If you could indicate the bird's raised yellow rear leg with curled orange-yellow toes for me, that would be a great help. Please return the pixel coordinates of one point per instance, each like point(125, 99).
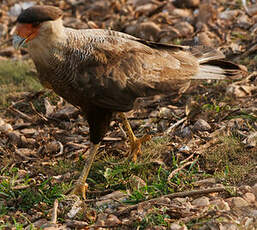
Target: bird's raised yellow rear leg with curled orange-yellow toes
point(135, 143)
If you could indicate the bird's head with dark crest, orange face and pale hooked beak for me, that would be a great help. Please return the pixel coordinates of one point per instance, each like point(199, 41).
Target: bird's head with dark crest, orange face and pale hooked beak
point(35, 23)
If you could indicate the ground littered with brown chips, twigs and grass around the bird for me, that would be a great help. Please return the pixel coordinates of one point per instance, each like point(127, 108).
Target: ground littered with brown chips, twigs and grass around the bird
point(204, 146)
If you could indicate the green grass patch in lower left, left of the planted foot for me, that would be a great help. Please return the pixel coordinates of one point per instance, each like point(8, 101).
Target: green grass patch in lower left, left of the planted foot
point(24, 194)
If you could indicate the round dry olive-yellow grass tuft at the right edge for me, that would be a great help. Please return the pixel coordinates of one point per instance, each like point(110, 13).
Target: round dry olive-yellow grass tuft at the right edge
point(230, 161)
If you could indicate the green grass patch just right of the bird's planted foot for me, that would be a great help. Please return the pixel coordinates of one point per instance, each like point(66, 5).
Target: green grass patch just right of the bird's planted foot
point(112, 173)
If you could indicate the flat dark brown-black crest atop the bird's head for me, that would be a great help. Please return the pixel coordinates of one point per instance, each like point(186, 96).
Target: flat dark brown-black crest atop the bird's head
point(38, 14)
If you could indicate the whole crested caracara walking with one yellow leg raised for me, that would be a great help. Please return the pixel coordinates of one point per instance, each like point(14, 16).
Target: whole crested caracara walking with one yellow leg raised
point(104, 71)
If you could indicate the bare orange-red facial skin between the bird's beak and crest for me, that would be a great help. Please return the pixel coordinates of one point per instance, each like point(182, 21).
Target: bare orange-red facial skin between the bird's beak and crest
point(27, 31)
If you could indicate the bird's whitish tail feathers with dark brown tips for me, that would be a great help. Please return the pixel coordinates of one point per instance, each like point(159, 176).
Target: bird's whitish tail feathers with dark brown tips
point(211, 66)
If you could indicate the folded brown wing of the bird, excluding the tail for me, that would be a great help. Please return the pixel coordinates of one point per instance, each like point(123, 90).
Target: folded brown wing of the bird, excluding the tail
point(118, 70)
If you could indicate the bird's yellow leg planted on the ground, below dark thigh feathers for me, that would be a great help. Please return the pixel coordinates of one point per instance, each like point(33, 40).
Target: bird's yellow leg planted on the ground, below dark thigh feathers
point(81, 185)
